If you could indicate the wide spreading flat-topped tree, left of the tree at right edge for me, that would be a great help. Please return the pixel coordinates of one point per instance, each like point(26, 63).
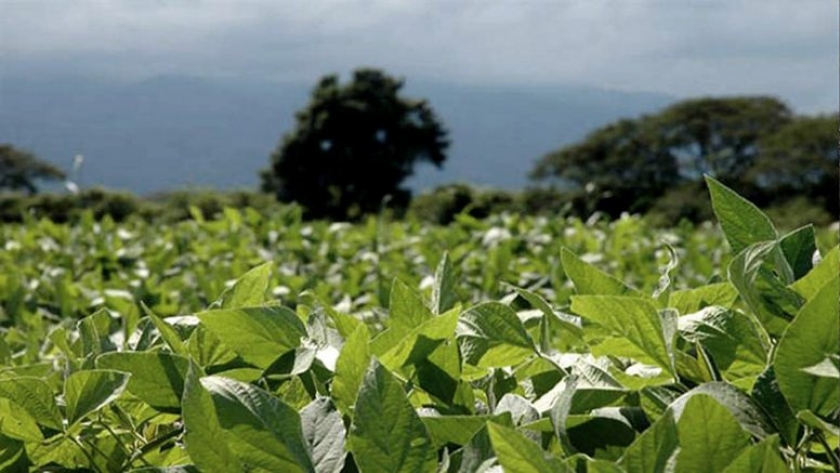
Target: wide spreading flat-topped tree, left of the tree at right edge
point(628, 164)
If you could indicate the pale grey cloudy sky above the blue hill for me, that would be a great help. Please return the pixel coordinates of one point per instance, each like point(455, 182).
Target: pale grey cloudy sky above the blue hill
point(683, 48)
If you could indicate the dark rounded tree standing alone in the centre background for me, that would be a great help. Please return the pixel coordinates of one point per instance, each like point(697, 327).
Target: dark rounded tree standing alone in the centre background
point(353, 145)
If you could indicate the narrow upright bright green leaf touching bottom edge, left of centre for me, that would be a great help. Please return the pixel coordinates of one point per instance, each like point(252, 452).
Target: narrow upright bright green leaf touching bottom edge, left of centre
point(203, 435)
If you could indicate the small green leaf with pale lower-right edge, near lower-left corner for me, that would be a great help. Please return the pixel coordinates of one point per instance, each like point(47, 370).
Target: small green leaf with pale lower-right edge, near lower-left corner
point(88, 391)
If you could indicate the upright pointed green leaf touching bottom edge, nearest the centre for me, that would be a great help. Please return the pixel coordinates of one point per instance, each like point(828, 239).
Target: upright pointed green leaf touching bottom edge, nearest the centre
point(387, 435)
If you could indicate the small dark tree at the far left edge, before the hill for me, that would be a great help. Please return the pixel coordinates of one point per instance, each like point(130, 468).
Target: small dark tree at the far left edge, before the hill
point(19, 170)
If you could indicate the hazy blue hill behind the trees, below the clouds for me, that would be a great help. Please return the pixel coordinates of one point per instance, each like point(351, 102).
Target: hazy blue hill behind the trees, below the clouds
point(167, 132)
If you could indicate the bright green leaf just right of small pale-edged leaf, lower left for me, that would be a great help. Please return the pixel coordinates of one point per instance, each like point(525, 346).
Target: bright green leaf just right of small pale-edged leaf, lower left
point(156, 378)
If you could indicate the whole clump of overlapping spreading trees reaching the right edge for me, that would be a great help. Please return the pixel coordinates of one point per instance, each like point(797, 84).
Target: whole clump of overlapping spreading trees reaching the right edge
point(755, 144)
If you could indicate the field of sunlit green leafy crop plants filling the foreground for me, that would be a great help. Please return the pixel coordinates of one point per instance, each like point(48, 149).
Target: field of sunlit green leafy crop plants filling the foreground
point(591, 372)
